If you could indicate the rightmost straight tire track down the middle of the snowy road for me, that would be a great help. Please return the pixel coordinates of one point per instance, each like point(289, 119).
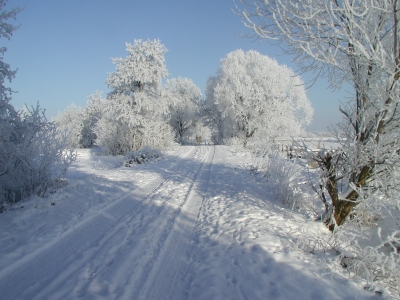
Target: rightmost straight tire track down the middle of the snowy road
point(169, 266)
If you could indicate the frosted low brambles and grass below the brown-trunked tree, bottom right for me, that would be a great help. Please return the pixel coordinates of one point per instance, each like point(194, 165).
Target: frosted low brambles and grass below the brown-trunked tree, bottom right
point(367, 244)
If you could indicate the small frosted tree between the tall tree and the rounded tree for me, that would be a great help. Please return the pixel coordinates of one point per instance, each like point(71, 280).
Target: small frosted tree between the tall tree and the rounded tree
point(184, 99)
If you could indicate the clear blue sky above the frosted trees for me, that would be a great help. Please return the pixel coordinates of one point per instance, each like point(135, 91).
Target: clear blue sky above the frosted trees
point(63, 49)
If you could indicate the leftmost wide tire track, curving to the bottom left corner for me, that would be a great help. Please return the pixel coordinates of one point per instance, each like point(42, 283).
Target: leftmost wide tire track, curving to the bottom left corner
point(33, 277)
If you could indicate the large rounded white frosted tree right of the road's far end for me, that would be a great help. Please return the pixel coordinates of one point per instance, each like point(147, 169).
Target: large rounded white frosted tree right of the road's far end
point(258, 98)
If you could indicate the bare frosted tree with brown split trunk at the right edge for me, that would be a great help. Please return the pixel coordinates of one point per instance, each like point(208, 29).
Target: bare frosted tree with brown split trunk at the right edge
point(355, 42)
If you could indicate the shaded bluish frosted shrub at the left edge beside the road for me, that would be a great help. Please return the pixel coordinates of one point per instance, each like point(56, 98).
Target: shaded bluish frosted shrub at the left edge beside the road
point(33, 157)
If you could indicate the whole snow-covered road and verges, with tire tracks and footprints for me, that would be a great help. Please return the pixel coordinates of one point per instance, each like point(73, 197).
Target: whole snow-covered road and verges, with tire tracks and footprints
point(195, 225)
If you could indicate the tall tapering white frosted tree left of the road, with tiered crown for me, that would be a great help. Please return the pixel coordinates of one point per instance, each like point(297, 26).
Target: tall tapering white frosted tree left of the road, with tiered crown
point(135, 114)
